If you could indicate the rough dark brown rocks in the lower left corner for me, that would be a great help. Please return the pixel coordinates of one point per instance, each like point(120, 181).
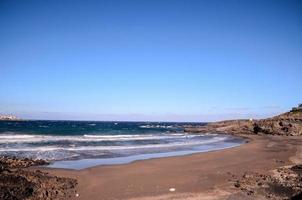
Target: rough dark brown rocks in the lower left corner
point(18, 181)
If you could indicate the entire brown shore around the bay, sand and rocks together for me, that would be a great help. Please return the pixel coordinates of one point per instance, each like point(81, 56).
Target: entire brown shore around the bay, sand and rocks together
point(268, 167)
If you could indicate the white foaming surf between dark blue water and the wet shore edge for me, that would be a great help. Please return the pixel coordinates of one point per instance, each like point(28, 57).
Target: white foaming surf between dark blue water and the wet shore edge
point(87, 146)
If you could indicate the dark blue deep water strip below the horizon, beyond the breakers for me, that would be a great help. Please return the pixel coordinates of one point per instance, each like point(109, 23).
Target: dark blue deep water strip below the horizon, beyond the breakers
point(87, 127)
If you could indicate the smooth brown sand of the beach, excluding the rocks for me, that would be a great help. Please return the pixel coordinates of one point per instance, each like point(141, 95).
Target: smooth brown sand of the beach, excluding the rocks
point(199, 176)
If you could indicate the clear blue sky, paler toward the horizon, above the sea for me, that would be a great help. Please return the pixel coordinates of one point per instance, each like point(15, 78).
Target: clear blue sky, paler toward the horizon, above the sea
point(150, 60)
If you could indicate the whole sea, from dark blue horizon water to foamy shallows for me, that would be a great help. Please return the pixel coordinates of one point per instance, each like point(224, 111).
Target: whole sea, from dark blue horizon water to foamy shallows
point(66, 143)
